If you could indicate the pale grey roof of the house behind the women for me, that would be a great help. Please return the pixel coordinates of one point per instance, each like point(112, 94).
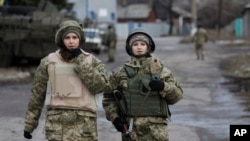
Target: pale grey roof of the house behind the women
point(133, 11)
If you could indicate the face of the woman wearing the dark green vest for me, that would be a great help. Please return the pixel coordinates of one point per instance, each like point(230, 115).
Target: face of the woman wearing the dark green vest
point(139, 48)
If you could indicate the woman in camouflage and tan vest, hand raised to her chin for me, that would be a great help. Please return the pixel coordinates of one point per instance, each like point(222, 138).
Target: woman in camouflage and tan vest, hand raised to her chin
point(66, 82)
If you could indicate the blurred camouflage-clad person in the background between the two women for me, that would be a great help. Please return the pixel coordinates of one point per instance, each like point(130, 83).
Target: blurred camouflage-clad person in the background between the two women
point(111, 43)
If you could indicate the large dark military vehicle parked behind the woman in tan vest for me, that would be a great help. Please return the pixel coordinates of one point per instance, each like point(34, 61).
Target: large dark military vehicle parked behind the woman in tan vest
point(28, 33)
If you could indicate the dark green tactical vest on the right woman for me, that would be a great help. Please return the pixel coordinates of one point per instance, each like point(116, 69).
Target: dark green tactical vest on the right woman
point(134, 95)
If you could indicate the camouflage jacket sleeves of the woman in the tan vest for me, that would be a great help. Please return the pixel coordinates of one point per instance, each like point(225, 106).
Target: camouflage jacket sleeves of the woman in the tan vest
point(94, 76)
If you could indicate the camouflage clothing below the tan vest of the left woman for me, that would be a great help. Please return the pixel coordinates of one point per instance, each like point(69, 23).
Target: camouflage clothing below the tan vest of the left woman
point(71, 125)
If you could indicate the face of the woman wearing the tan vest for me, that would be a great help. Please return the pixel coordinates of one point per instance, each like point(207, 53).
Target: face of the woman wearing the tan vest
point(71, 41)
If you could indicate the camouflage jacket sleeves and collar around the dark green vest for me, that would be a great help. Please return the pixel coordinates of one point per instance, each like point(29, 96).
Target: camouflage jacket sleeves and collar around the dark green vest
point(172, 91)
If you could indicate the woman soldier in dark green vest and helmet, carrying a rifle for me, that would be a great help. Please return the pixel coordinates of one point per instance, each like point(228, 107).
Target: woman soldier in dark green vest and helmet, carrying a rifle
point(141, 91)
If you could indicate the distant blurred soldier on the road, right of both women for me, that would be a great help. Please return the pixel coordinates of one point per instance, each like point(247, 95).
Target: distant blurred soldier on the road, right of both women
point(200, 38)
